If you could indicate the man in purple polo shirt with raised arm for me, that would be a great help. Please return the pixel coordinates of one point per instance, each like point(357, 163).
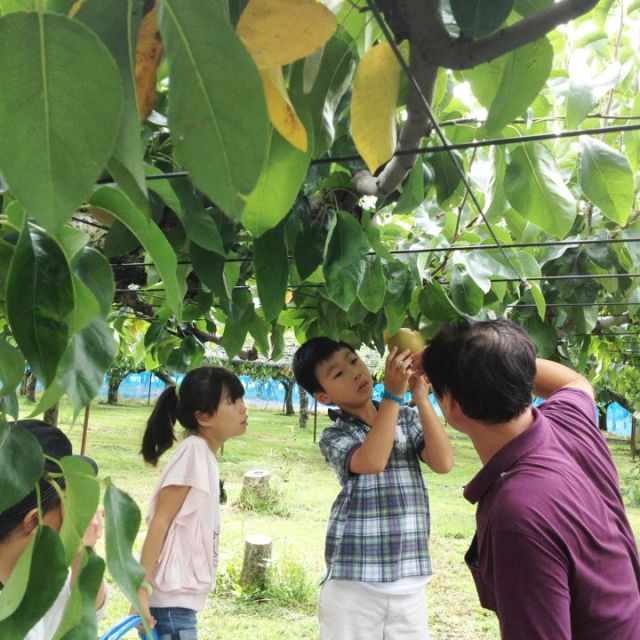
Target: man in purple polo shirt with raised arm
point(553, 555)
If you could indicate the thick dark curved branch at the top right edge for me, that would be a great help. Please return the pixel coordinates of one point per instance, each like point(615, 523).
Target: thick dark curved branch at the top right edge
point(440, 48)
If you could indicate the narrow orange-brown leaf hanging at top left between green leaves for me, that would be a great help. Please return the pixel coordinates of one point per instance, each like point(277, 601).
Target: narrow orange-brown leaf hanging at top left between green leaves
point(148, 56)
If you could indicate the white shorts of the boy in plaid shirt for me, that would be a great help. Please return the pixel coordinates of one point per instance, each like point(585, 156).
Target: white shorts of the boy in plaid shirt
point(352, 611)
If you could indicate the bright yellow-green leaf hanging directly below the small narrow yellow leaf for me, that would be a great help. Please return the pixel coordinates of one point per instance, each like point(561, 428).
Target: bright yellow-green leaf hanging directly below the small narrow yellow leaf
point(279, 183)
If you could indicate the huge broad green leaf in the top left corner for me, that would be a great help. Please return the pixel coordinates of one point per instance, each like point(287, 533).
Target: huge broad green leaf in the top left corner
point(60, 106)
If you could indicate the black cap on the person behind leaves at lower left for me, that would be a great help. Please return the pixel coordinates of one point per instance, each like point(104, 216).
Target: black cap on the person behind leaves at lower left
point(54, 443)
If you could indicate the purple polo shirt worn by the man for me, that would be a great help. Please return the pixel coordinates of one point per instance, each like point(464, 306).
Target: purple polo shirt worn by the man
point(554, 555)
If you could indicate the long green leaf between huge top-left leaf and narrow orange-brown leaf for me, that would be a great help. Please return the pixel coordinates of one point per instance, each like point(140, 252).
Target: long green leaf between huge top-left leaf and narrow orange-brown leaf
point(117, 24)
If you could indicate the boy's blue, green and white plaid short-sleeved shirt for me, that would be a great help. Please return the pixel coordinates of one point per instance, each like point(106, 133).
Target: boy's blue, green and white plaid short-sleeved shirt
point(379, 524)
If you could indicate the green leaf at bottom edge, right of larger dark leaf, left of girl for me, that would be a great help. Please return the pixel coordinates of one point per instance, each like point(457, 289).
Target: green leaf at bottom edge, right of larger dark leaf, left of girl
point(79, 621)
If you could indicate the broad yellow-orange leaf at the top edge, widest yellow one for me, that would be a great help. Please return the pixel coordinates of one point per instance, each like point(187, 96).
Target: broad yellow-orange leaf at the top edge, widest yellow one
point(277, 32)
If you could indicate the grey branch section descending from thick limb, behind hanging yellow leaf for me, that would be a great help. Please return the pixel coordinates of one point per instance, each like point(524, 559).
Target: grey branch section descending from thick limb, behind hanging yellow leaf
point(416, 126)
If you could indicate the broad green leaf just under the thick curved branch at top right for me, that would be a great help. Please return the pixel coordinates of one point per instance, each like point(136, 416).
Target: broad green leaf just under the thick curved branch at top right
point(507, 85)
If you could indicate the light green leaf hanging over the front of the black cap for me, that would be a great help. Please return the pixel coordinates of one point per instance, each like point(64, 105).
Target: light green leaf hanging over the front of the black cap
point(82, 494)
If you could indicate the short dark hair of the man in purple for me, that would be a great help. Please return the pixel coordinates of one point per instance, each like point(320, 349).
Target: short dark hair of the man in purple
point(488, 368)
